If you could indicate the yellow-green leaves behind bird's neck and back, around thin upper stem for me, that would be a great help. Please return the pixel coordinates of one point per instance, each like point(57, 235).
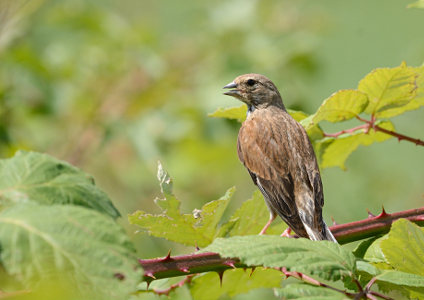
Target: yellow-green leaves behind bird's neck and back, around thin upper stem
point(382, 94)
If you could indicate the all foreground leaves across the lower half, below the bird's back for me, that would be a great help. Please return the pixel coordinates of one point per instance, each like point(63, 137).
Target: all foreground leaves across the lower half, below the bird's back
point(40, 240)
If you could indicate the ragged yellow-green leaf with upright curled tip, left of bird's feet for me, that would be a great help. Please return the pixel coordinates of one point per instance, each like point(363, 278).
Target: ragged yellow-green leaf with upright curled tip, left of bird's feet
point(203, 225)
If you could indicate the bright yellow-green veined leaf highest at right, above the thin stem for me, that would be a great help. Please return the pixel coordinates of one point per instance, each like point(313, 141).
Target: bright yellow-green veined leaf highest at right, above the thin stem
point(388, 88)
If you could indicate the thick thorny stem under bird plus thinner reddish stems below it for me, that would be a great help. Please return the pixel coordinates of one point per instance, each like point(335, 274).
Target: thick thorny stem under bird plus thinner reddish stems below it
point(169, 266)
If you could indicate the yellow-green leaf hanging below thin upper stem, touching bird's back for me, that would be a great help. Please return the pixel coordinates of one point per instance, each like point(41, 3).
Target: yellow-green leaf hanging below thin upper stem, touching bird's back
point(333, 152)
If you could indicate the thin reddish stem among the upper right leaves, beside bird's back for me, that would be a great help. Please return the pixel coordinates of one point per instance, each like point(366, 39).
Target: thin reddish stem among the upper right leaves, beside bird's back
point(372, 124)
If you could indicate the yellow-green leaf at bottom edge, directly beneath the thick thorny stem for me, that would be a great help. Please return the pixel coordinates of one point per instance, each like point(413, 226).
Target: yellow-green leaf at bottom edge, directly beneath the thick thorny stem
point(234, 282)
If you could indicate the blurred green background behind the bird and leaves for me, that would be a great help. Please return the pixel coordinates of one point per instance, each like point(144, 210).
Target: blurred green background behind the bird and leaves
point(114, 86)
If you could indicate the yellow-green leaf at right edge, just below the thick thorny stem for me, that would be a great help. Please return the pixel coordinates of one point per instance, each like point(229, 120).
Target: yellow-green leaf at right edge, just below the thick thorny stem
point(404, 247)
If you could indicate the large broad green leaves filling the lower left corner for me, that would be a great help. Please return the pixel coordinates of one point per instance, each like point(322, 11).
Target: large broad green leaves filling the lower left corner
point(58, 228)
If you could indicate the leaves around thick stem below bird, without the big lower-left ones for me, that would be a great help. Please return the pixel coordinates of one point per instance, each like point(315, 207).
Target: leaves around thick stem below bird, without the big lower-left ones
point(391, 269)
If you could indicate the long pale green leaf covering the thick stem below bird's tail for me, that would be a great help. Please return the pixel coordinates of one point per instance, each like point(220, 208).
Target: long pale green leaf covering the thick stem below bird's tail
point(325, 259)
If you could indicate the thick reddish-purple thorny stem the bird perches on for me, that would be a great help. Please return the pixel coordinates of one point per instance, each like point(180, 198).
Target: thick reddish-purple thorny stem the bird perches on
point(205, 262)
